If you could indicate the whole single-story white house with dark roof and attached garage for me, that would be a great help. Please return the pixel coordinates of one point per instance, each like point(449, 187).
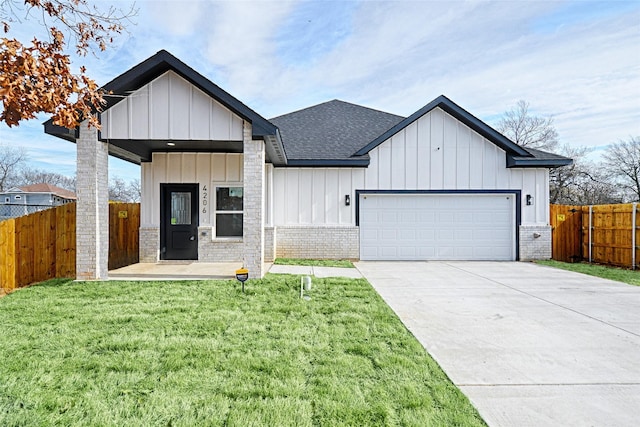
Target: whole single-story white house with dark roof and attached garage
point(335, 180)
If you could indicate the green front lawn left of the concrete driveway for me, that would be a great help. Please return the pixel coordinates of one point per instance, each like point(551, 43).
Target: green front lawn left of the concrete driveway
point(203, 353)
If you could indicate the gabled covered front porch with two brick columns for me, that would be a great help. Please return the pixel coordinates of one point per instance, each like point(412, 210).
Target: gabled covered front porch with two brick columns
point(205, 158)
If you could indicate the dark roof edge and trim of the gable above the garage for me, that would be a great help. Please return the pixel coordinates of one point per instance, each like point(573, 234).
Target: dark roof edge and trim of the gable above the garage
point(517, 156)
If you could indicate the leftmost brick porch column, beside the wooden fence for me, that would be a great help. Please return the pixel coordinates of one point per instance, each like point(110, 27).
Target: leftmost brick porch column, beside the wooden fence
point(92, 218)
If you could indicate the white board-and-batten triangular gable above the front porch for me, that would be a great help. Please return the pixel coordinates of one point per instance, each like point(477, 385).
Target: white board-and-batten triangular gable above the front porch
point(170, 108)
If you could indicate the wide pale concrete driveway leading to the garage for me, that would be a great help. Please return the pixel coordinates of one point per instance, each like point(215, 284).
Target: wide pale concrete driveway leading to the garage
point(529, 345)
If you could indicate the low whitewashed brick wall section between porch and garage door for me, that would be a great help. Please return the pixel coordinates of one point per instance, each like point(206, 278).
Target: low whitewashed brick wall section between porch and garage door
point(320, 242)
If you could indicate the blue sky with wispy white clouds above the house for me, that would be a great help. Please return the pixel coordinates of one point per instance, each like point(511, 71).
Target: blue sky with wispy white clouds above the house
point(578, 61)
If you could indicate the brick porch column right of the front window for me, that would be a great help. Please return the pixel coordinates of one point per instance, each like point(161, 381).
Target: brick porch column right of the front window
point(253, 200)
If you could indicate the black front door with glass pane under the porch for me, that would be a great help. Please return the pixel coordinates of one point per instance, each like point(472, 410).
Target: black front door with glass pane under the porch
point(179, 221)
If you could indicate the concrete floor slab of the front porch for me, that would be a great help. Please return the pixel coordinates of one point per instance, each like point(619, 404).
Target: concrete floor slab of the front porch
point(178, 270)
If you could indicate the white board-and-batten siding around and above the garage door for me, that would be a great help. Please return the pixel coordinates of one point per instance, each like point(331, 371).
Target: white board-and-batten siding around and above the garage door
point(436, 152)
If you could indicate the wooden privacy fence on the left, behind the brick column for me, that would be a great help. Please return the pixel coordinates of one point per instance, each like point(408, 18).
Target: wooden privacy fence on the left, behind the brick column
point(42, 245)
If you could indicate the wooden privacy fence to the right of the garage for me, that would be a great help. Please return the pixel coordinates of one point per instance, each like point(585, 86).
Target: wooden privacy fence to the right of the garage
point(605, 234)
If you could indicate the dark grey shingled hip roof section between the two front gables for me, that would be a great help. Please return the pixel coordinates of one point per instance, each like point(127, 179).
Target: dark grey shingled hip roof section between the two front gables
point(328, 134)
